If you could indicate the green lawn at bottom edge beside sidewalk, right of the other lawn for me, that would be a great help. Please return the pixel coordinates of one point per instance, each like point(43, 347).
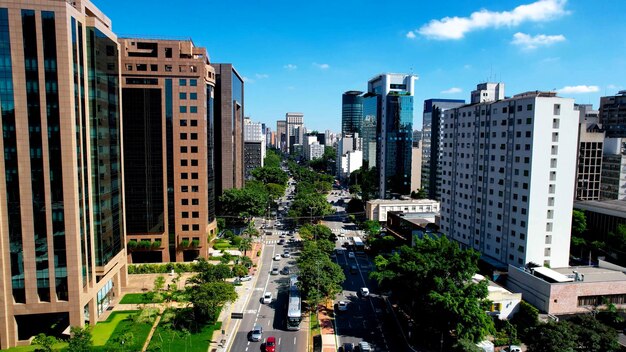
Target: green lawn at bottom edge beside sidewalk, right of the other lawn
point(167, 340)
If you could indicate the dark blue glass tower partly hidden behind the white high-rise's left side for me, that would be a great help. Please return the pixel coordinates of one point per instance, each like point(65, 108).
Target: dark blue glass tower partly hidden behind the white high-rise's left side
point(431, 143)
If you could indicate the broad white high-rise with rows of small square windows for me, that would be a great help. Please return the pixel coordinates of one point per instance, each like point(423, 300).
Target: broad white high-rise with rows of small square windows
point(508, 171)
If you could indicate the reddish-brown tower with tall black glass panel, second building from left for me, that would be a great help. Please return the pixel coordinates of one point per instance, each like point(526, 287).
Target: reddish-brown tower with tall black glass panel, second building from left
point(167, 89)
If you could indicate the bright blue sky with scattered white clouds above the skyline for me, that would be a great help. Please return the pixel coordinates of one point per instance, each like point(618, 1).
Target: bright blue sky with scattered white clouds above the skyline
point(301, 56)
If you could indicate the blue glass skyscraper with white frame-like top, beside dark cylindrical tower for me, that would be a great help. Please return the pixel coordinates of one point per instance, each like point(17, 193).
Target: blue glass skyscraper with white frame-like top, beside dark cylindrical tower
point(394, 131)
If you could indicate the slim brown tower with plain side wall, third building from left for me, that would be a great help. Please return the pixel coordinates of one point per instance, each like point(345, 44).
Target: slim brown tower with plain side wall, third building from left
point(229, 114)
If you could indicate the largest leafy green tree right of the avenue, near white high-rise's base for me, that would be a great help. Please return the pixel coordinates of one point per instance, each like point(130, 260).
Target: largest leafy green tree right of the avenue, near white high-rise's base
point(433, 282)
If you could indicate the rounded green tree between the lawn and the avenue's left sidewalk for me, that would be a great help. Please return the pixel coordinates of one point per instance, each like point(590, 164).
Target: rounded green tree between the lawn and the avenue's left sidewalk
point(208, 298)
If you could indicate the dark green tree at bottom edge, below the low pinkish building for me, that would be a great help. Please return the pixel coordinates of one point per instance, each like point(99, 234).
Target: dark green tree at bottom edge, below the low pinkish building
point(550, 337)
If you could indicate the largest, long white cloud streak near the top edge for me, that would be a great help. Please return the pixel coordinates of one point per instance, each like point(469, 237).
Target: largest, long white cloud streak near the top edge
point(456, 27)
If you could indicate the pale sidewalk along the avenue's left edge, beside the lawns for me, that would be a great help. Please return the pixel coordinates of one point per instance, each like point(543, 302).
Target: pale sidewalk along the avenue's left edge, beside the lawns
point(220, 342)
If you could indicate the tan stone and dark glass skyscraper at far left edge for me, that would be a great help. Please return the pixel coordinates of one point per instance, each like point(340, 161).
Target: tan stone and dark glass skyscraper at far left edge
point(61, 194)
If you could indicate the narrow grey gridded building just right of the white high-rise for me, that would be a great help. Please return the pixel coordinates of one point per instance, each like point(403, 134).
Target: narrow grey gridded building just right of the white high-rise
point(590, 144)
